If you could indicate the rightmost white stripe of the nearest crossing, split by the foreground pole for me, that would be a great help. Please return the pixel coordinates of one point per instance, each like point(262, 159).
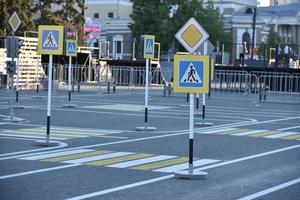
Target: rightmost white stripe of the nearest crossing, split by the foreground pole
point(183, 166)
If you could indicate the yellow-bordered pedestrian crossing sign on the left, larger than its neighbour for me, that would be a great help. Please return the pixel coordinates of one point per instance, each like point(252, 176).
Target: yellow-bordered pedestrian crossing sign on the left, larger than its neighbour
point(50, 40)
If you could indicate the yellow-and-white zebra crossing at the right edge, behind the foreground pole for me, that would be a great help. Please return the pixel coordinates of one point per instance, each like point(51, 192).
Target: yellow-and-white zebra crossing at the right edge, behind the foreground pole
point(274, 134)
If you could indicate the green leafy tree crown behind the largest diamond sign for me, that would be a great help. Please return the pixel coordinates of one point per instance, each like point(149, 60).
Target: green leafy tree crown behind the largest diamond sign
point(163, 18)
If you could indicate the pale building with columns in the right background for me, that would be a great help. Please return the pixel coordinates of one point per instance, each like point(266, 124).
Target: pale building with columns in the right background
point(283, 19)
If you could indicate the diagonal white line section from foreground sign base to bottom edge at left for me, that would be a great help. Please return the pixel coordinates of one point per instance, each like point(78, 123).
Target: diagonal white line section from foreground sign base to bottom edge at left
point(124, 187)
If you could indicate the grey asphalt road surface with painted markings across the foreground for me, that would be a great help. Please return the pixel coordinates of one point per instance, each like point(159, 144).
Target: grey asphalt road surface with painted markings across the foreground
point(252, 150)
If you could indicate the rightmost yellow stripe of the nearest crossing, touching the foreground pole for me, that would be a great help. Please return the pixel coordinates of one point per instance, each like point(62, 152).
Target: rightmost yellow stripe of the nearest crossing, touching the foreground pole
point(160, 164)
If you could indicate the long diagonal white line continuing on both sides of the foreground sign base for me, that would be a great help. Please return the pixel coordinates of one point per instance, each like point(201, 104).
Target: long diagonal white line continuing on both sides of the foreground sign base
point(124, 187)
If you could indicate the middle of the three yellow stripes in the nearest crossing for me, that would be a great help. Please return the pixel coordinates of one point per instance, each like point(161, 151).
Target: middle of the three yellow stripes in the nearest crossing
point(119, 159)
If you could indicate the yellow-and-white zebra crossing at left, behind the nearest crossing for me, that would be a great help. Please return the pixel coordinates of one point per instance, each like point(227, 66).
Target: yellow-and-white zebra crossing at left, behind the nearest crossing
point(58, 133)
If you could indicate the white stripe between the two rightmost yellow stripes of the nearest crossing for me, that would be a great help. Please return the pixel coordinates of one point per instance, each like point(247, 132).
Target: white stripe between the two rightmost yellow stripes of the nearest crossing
point(141, 161)
